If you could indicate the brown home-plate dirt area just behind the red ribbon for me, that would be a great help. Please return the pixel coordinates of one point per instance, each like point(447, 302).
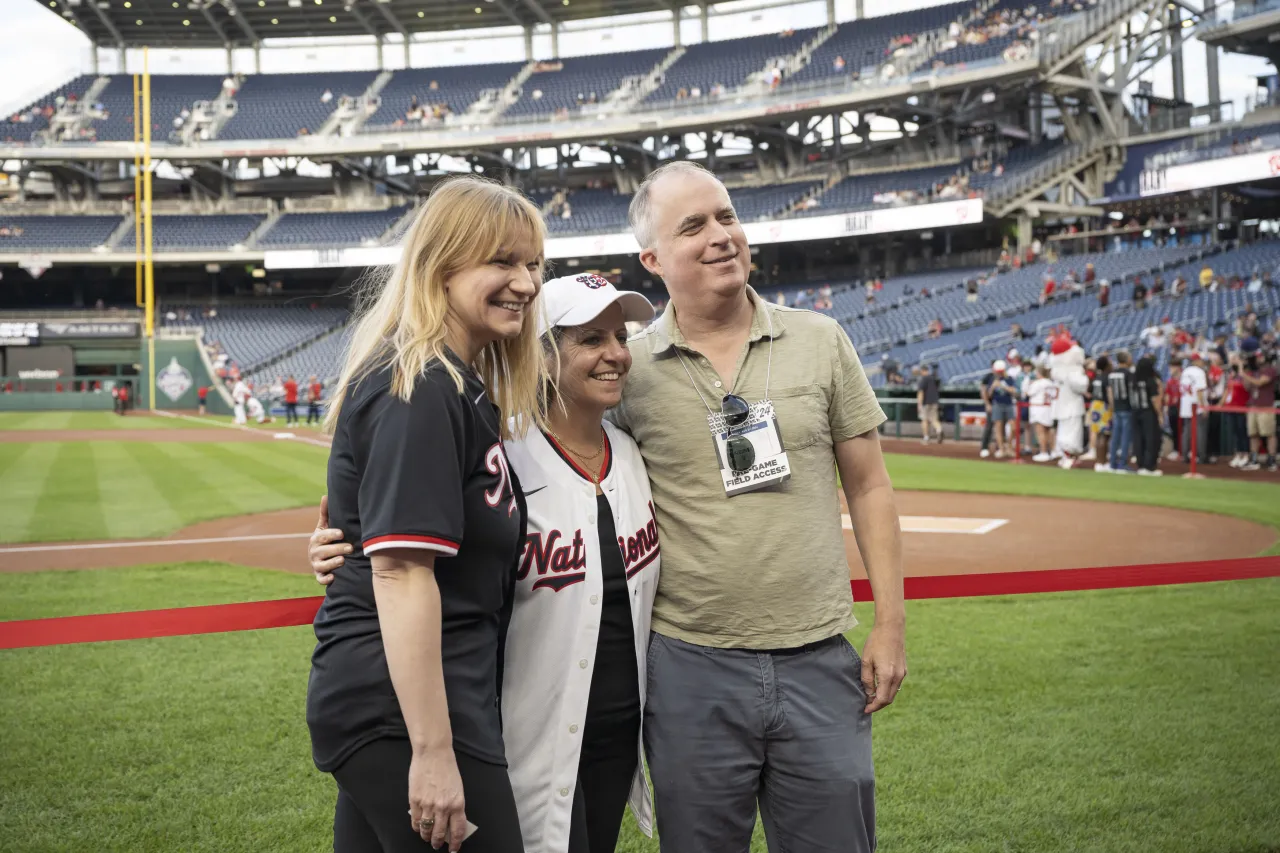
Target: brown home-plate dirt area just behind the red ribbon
point(1040, 533)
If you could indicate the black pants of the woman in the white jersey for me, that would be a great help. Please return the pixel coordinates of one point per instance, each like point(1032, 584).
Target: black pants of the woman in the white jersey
point(611, 750)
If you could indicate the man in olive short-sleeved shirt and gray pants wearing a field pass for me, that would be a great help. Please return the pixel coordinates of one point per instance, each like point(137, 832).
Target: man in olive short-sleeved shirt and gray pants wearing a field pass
point(755, 697)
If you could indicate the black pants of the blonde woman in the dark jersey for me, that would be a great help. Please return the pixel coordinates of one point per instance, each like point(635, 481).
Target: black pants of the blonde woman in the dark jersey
point(373, 804)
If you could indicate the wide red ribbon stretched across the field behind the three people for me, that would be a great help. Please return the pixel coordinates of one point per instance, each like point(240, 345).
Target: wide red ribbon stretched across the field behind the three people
point(287, 613)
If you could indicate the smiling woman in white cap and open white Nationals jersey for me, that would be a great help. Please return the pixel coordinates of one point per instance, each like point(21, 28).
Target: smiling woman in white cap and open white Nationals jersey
point(574, 676)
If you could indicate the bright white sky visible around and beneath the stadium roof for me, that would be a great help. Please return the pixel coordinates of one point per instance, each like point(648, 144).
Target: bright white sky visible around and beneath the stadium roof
point(42, 51)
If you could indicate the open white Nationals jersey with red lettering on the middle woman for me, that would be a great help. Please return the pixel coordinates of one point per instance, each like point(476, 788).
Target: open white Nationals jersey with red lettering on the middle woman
point(556, 621)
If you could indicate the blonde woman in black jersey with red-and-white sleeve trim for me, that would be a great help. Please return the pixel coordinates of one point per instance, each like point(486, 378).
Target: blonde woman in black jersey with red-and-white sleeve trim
point(403, 703)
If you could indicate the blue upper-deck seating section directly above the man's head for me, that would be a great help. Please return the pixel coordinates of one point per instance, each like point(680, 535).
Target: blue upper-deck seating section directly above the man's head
point(728, 63)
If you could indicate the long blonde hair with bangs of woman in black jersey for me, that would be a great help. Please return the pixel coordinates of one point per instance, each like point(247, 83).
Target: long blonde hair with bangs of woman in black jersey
point(401, 321)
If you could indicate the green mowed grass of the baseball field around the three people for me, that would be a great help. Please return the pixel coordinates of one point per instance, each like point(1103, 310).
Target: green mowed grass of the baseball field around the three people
point(1118, 720)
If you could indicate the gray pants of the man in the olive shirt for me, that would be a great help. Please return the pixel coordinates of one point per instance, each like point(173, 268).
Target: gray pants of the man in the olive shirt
point(726, 729)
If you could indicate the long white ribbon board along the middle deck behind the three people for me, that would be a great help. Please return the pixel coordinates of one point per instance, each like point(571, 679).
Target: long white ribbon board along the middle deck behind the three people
point(941, 215)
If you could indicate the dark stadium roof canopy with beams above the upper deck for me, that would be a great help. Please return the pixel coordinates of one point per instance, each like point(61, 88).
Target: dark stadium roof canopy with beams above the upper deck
point(221, 24)
